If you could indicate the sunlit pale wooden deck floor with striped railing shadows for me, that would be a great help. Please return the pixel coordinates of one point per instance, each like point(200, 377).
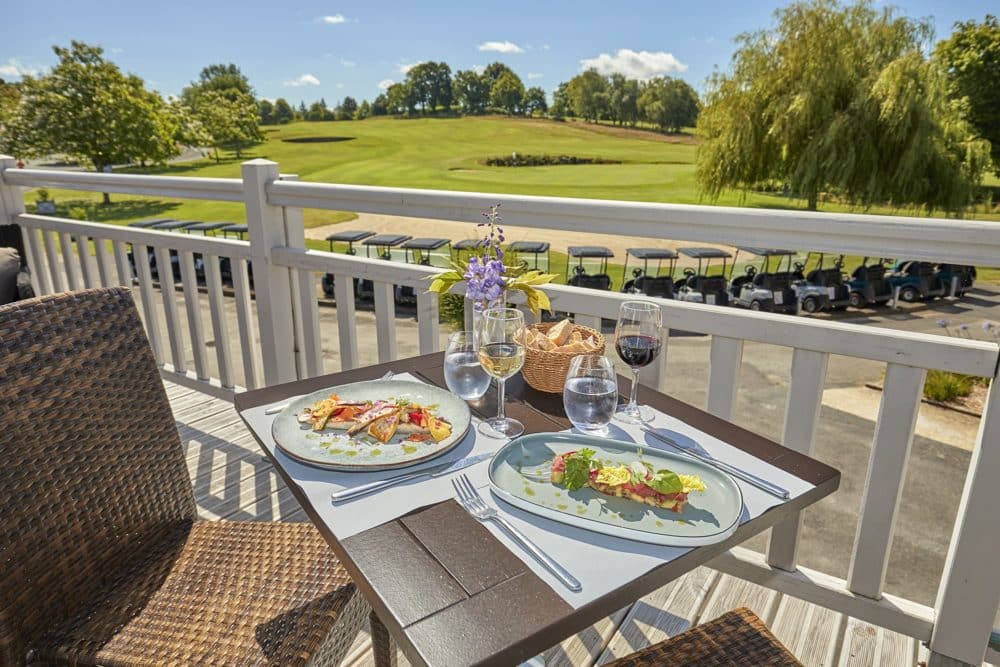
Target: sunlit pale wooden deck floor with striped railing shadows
point(233, 480)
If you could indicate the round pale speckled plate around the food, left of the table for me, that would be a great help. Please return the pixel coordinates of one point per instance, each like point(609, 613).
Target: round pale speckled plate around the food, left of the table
point(330, 449)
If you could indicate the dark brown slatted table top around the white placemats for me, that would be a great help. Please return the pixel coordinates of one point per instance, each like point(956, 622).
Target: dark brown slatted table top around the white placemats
point(450, 593)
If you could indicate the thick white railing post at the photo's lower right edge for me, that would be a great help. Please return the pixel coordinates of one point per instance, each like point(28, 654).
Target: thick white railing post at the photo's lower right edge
point(969, 595)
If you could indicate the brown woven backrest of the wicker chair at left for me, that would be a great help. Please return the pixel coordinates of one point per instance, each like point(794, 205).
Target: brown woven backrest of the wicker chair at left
point(92, 474)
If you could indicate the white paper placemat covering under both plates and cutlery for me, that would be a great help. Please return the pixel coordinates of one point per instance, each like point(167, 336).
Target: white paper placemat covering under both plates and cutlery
point(602, 563)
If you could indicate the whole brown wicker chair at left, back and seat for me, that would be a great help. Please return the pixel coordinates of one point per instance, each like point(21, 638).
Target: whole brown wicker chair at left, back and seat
point(102, 558)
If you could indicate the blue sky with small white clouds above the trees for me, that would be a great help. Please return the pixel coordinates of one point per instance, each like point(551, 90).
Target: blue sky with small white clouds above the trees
point(308, 49)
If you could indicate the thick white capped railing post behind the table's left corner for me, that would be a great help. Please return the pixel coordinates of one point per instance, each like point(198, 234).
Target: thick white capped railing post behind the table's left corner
point(266, 227)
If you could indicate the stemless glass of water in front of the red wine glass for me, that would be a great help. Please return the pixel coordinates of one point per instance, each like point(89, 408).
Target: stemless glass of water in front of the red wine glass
point(590, 394)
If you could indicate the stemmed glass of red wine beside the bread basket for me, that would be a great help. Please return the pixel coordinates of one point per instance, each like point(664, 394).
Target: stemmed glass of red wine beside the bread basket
point(637, 341)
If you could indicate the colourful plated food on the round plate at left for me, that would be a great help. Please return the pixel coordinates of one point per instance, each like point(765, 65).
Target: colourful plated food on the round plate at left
point(381, 420)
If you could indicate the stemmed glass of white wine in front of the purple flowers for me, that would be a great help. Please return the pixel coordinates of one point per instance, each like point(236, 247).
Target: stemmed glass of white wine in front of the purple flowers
point(501, 352)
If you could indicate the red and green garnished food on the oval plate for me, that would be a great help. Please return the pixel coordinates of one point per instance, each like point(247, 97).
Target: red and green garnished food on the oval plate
point(636, 481)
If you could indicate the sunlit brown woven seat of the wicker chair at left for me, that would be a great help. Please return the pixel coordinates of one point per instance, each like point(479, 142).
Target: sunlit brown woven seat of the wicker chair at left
point(222, 593)
